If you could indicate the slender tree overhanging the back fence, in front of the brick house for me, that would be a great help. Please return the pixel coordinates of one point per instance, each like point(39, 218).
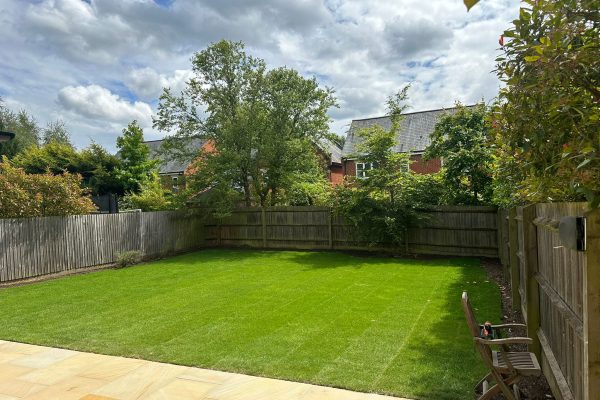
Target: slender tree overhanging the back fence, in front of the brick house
point(379, 205)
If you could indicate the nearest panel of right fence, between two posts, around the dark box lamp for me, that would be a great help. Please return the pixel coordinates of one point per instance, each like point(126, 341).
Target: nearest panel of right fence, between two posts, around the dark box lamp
point(561, 293)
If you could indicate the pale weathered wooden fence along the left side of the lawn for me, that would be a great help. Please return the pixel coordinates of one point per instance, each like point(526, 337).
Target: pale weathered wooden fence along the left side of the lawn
point(32, 247)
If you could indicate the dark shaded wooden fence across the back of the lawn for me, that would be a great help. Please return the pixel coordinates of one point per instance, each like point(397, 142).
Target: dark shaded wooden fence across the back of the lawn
point(456, 230)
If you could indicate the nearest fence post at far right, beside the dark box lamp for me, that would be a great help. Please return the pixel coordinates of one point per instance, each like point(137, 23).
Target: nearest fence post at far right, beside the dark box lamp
point(591, 308)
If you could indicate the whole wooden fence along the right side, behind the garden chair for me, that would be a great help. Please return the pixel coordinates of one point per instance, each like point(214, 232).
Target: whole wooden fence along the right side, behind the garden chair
point(557, 289)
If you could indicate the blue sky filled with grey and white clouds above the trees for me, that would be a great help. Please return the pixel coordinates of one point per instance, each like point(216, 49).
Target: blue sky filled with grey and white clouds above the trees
point(99, 64)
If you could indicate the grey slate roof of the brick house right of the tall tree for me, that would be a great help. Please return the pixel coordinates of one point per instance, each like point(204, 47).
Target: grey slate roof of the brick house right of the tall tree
point(413, 135)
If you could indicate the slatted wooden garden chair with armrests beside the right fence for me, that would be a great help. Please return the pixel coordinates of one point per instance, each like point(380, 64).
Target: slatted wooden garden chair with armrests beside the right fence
point(507, 368)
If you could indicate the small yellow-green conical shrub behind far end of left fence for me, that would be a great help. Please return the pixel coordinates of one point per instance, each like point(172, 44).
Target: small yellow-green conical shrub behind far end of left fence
point(151, 196)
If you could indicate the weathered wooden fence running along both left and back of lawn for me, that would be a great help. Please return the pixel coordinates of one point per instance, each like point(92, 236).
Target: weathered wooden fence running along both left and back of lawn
point(31, 247)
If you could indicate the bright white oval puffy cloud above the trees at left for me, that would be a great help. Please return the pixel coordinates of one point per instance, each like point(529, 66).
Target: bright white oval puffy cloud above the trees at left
point(96, 102)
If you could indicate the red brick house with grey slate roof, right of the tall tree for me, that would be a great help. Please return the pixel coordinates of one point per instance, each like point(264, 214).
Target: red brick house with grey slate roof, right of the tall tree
point(413, 137)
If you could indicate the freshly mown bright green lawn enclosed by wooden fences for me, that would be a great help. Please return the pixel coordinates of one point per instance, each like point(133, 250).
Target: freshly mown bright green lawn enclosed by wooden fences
point(381, 325)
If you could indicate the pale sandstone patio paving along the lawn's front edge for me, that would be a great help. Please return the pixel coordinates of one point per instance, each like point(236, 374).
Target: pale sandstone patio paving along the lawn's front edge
point(36, 372)
